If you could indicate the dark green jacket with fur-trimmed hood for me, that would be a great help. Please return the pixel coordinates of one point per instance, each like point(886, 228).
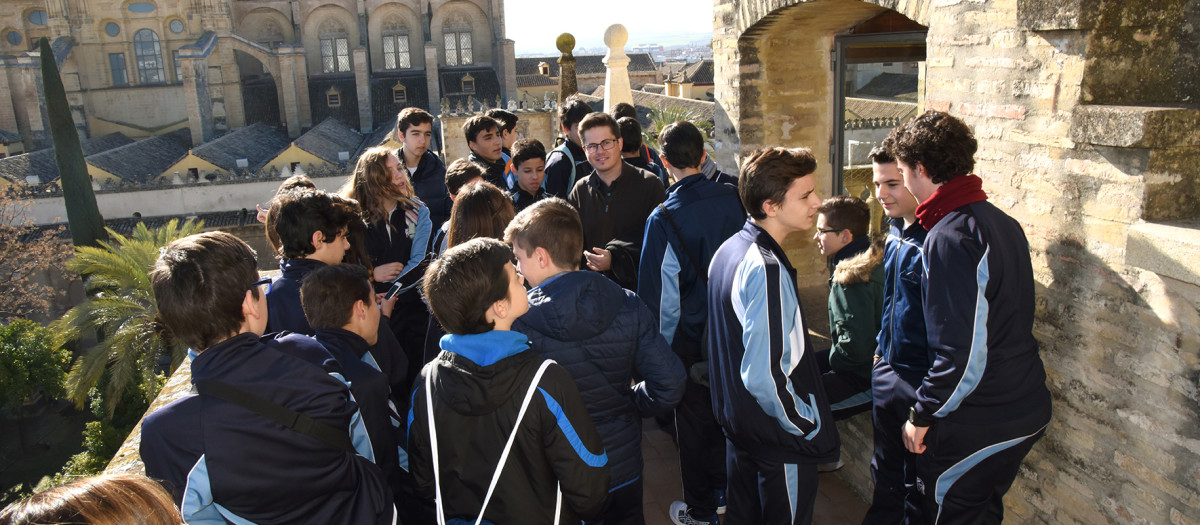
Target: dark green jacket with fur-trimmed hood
point(856, 305)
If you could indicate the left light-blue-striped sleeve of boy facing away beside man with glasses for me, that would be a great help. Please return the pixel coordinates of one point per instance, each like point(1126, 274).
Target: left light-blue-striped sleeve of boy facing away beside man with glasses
point(658, 277)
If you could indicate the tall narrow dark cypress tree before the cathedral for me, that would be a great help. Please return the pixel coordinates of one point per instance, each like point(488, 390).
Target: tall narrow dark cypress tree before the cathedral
point(83, 214)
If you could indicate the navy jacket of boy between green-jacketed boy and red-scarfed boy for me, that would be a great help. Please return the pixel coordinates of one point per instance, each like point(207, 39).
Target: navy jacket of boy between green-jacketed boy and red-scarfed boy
point(902, 341)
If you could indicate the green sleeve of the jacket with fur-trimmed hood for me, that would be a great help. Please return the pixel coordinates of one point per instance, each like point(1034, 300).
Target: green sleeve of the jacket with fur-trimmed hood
point(855, 324)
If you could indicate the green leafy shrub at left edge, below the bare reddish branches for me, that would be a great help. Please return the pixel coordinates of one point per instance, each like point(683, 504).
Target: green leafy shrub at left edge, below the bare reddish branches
point(31, 359)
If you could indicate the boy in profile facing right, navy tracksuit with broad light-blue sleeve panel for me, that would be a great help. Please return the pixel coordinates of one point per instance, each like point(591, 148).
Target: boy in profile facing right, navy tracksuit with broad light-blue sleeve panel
point(764, 375)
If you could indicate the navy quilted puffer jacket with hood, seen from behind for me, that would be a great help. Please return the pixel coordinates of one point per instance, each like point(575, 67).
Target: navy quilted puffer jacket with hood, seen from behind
point(603, 334)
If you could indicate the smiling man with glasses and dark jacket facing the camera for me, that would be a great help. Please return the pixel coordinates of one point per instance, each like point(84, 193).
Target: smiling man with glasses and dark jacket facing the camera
point(614, 203)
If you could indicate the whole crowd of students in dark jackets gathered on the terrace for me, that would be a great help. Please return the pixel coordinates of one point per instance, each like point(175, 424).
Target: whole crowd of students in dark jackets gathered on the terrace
point(479, 343)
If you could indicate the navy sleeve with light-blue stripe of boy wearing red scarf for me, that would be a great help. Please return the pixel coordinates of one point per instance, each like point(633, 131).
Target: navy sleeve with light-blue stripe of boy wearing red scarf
point(956, 321)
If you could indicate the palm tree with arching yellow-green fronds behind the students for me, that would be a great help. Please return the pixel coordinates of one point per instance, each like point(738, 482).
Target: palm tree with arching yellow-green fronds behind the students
point(121, 310)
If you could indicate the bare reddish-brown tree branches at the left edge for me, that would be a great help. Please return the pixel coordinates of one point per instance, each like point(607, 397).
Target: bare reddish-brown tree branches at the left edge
point(29, 258)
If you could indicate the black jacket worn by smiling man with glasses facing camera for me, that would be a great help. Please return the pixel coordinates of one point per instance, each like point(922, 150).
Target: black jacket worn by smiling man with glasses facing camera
point(615, 218)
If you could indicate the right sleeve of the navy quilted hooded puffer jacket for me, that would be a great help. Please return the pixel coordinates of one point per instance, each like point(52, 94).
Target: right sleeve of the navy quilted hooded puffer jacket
point(663, 373)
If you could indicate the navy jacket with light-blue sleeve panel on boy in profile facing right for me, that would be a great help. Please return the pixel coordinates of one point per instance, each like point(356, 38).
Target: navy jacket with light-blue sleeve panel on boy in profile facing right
point(764, 372)
